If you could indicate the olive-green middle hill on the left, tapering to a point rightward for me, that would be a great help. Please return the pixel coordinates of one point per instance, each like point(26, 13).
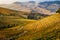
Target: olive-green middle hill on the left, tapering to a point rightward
point(7, 22)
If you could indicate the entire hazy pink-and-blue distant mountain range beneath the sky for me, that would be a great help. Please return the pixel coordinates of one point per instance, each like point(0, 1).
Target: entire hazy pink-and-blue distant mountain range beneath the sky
point(42, 7)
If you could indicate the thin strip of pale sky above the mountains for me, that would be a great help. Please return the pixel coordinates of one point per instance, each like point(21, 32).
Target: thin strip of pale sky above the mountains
point(11, 1)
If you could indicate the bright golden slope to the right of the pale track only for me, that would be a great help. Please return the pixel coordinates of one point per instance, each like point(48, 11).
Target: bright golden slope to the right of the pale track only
point(45, 29)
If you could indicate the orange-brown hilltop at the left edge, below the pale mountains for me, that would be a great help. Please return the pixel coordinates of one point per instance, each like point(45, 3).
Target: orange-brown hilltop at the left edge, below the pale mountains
point(9, 11)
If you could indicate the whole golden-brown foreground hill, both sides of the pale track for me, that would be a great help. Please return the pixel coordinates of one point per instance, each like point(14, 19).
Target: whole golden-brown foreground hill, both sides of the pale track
point(45, 29)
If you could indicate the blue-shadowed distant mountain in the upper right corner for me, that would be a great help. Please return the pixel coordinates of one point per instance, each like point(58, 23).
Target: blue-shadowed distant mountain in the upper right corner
point(50, 5)
